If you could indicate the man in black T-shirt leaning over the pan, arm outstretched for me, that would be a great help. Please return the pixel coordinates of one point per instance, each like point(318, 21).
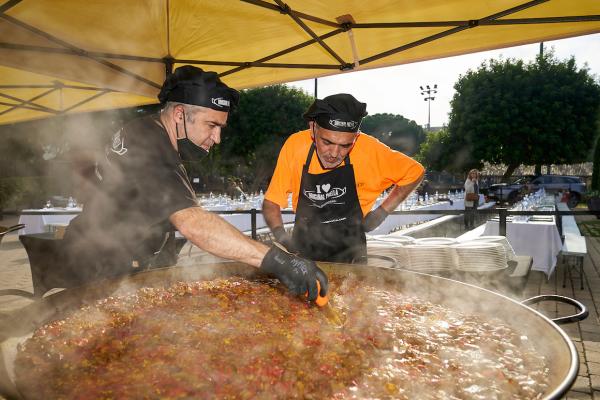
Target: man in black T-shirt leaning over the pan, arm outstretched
point(145, 193)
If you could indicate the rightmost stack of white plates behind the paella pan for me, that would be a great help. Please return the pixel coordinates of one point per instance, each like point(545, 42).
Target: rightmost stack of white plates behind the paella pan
point(479, 257)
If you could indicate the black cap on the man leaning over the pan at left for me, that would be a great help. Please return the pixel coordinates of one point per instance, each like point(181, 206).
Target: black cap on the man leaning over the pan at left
point(192, 85)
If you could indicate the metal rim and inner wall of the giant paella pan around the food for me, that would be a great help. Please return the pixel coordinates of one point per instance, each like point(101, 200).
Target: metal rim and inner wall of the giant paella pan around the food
point(52, 306)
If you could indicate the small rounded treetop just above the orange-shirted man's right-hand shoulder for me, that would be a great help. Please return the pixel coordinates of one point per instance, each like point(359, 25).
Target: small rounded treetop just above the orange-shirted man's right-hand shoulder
point(396, 131)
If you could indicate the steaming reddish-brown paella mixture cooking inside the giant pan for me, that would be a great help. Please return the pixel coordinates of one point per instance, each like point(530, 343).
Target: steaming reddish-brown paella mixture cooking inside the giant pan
point(239, 339)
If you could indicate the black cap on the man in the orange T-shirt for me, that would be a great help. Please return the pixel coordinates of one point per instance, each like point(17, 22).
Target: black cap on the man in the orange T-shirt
point(338, 112)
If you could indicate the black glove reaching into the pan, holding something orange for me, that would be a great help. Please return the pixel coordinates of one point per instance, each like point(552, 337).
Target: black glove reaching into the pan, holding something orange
point(297, 274)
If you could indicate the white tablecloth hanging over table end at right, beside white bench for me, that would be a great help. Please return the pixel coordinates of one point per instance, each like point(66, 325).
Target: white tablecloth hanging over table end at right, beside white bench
point(539, 240)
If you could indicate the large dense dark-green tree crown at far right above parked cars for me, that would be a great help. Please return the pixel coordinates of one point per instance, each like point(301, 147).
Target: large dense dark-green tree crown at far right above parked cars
point(510, 112)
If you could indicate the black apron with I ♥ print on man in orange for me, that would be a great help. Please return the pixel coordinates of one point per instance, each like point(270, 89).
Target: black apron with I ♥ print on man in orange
point(328, 223)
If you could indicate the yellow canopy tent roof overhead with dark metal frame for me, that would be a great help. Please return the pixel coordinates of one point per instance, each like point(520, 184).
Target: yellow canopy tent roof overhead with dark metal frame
point(124, 49)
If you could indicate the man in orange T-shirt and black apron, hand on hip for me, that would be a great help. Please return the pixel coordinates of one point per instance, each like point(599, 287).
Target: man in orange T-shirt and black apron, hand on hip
point(334, 192)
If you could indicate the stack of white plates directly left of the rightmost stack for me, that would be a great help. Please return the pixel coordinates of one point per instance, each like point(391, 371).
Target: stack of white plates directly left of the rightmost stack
point(429, 258)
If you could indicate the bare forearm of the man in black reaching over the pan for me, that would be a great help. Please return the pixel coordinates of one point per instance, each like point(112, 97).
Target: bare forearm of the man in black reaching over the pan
point(212, 233)
